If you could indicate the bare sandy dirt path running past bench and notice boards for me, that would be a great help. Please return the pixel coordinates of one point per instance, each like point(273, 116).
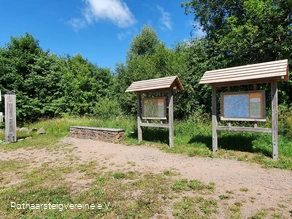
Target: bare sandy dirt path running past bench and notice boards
point(266, 188)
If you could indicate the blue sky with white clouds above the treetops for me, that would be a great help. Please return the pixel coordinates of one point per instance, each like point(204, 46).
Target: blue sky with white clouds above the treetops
point(100, 30)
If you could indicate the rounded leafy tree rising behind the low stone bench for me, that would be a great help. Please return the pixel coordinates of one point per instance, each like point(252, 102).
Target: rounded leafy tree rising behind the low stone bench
point(83, 84)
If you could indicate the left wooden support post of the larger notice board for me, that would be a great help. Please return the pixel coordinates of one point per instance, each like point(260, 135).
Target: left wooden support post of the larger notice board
point(214, 120)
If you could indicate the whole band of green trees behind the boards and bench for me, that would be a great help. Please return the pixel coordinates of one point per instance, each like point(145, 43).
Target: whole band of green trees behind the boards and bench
point(236, 33)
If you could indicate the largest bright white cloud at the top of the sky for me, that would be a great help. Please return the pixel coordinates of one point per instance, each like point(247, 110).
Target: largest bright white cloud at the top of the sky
point(116, 11)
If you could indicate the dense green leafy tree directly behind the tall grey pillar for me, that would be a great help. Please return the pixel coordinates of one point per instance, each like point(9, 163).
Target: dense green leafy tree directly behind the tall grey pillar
point(33, 74)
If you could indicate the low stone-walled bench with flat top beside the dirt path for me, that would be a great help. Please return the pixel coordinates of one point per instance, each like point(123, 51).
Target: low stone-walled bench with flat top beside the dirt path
point(101, 134)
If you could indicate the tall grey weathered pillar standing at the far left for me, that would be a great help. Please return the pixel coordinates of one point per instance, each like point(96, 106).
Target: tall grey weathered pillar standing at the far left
point(10, 117)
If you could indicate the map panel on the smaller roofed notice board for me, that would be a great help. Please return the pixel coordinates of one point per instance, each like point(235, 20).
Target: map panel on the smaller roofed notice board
point(154, 107)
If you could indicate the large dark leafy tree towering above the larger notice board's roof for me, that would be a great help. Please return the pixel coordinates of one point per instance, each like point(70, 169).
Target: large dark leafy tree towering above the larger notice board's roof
point(245, 31)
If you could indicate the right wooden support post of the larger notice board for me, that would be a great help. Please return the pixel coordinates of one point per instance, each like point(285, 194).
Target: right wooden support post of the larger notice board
point(274, 95)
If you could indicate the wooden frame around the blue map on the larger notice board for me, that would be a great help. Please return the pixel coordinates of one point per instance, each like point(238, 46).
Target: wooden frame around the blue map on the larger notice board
point(253, 94)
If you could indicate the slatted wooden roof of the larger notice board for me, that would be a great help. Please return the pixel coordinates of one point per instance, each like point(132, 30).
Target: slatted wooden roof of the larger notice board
point(275, 70)
